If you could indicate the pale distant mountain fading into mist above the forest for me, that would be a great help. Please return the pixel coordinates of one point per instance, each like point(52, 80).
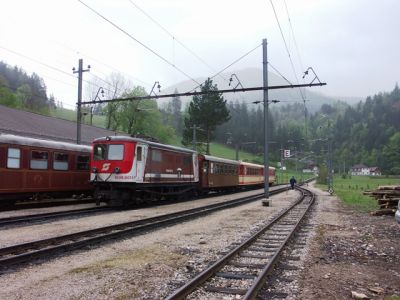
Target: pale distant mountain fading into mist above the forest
point(252, 77)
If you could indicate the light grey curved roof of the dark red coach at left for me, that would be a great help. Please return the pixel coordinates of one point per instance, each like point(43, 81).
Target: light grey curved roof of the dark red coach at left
point(19, 140)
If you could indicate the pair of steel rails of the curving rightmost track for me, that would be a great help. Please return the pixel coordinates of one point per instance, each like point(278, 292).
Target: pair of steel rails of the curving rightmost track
point(202, 277)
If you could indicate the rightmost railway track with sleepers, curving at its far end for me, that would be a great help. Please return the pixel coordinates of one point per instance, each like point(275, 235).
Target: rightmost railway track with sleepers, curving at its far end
point(243, 271)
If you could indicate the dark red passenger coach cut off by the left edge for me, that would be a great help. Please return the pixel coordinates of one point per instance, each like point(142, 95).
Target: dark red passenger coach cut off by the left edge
point(31, 168)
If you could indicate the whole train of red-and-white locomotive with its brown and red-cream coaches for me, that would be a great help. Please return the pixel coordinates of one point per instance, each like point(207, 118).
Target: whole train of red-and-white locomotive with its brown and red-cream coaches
point(131, 170)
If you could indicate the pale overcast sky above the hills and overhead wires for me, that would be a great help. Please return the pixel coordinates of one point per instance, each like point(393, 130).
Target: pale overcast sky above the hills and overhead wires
point(353, 45)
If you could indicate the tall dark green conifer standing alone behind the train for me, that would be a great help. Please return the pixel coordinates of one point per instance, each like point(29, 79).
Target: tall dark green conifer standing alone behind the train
point(206, 111)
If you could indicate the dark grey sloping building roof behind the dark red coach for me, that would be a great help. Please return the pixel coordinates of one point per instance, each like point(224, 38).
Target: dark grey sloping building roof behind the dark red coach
point(23, 123)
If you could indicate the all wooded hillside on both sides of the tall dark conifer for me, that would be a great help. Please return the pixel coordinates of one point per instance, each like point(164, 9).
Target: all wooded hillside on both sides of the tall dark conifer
point(366, 133)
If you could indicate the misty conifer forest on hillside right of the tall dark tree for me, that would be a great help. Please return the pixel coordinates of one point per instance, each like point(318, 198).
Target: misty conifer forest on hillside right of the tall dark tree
point(368, 133)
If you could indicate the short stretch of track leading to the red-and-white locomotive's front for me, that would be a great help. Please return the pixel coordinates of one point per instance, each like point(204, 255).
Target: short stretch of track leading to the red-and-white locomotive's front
point(35, 218)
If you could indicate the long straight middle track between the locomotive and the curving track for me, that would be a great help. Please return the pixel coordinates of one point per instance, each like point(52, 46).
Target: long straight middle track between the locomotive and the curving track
point(23, 253)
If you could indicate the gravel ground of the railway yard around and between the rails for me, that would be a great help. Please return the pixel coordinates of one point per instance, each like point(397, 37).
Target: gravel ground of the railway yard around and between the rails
point(335, 254)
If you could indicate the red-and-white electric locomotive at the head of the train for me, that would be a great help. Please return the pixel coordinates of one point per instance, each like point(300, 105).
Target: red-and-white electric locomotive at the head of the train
point(126, 169)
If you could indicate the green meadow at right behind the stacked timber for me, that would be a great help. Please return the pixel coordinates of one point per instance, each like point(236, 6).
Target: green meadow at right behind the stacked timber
point(350, 190)
